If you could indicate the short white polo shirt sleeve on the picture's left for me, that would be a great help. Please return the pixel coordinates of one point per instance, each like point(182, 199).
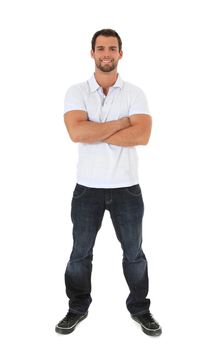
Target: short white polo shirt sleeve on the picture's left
point(74, 99)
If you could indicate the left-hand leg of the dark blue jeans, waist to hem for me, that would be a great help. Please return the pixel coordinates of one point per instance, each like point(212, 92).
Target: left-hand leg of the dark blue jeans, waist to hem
point(87, 212)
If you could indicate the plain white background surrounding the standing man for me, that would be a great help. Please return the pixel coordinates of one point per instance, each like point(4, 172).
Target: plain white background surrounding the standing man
point(171, 50)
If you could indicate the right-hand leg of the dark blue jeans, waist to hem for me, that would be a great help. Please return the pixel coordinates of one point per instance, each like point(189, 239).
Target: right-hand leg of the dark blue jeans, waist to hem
point(127, 212)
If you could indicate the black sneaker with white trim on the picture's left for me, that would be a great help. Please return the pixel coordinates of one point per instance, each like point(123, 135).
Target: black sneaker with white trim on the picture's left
point(69, 322)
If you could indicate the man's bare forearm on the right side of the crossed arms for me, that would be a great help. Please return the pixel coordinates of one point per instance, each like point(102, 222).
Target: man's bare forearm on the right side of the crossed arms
point(131, 136)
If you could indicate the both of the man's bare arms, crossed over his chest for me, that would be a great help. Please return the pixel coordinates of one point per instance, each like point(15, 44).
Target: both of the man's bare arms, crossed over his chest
point(127, 131)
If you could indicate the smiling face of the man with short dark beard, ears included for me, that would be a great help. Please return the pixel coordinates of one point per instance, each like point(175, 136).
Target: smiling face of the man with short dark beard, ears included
point(106, 54)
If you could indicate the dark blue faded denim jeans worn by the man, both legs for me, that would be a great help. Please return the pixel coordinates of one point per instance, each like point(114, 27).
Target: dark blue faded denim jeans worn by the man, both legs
point(126, 208)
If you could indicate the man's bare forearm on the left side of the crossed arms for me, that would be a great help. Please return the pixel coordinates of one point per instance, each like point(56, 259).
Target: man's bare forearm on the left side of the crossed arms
point(90, 132)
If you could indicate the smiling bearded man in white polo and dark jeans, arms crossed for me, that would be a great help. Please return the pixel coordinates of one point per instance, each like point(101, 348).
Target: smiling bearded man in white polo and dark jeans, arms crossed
point(108, 117)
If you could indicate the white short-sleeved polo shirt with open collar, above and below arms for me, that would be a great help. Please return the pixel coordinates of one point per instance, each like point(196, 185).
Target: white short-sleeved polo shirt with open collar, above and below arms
point(103, 165)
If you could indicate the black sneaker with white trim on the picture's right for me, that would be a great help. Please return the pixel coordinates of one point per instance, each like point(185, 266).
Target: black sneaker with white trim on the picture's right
point(148, 324)
